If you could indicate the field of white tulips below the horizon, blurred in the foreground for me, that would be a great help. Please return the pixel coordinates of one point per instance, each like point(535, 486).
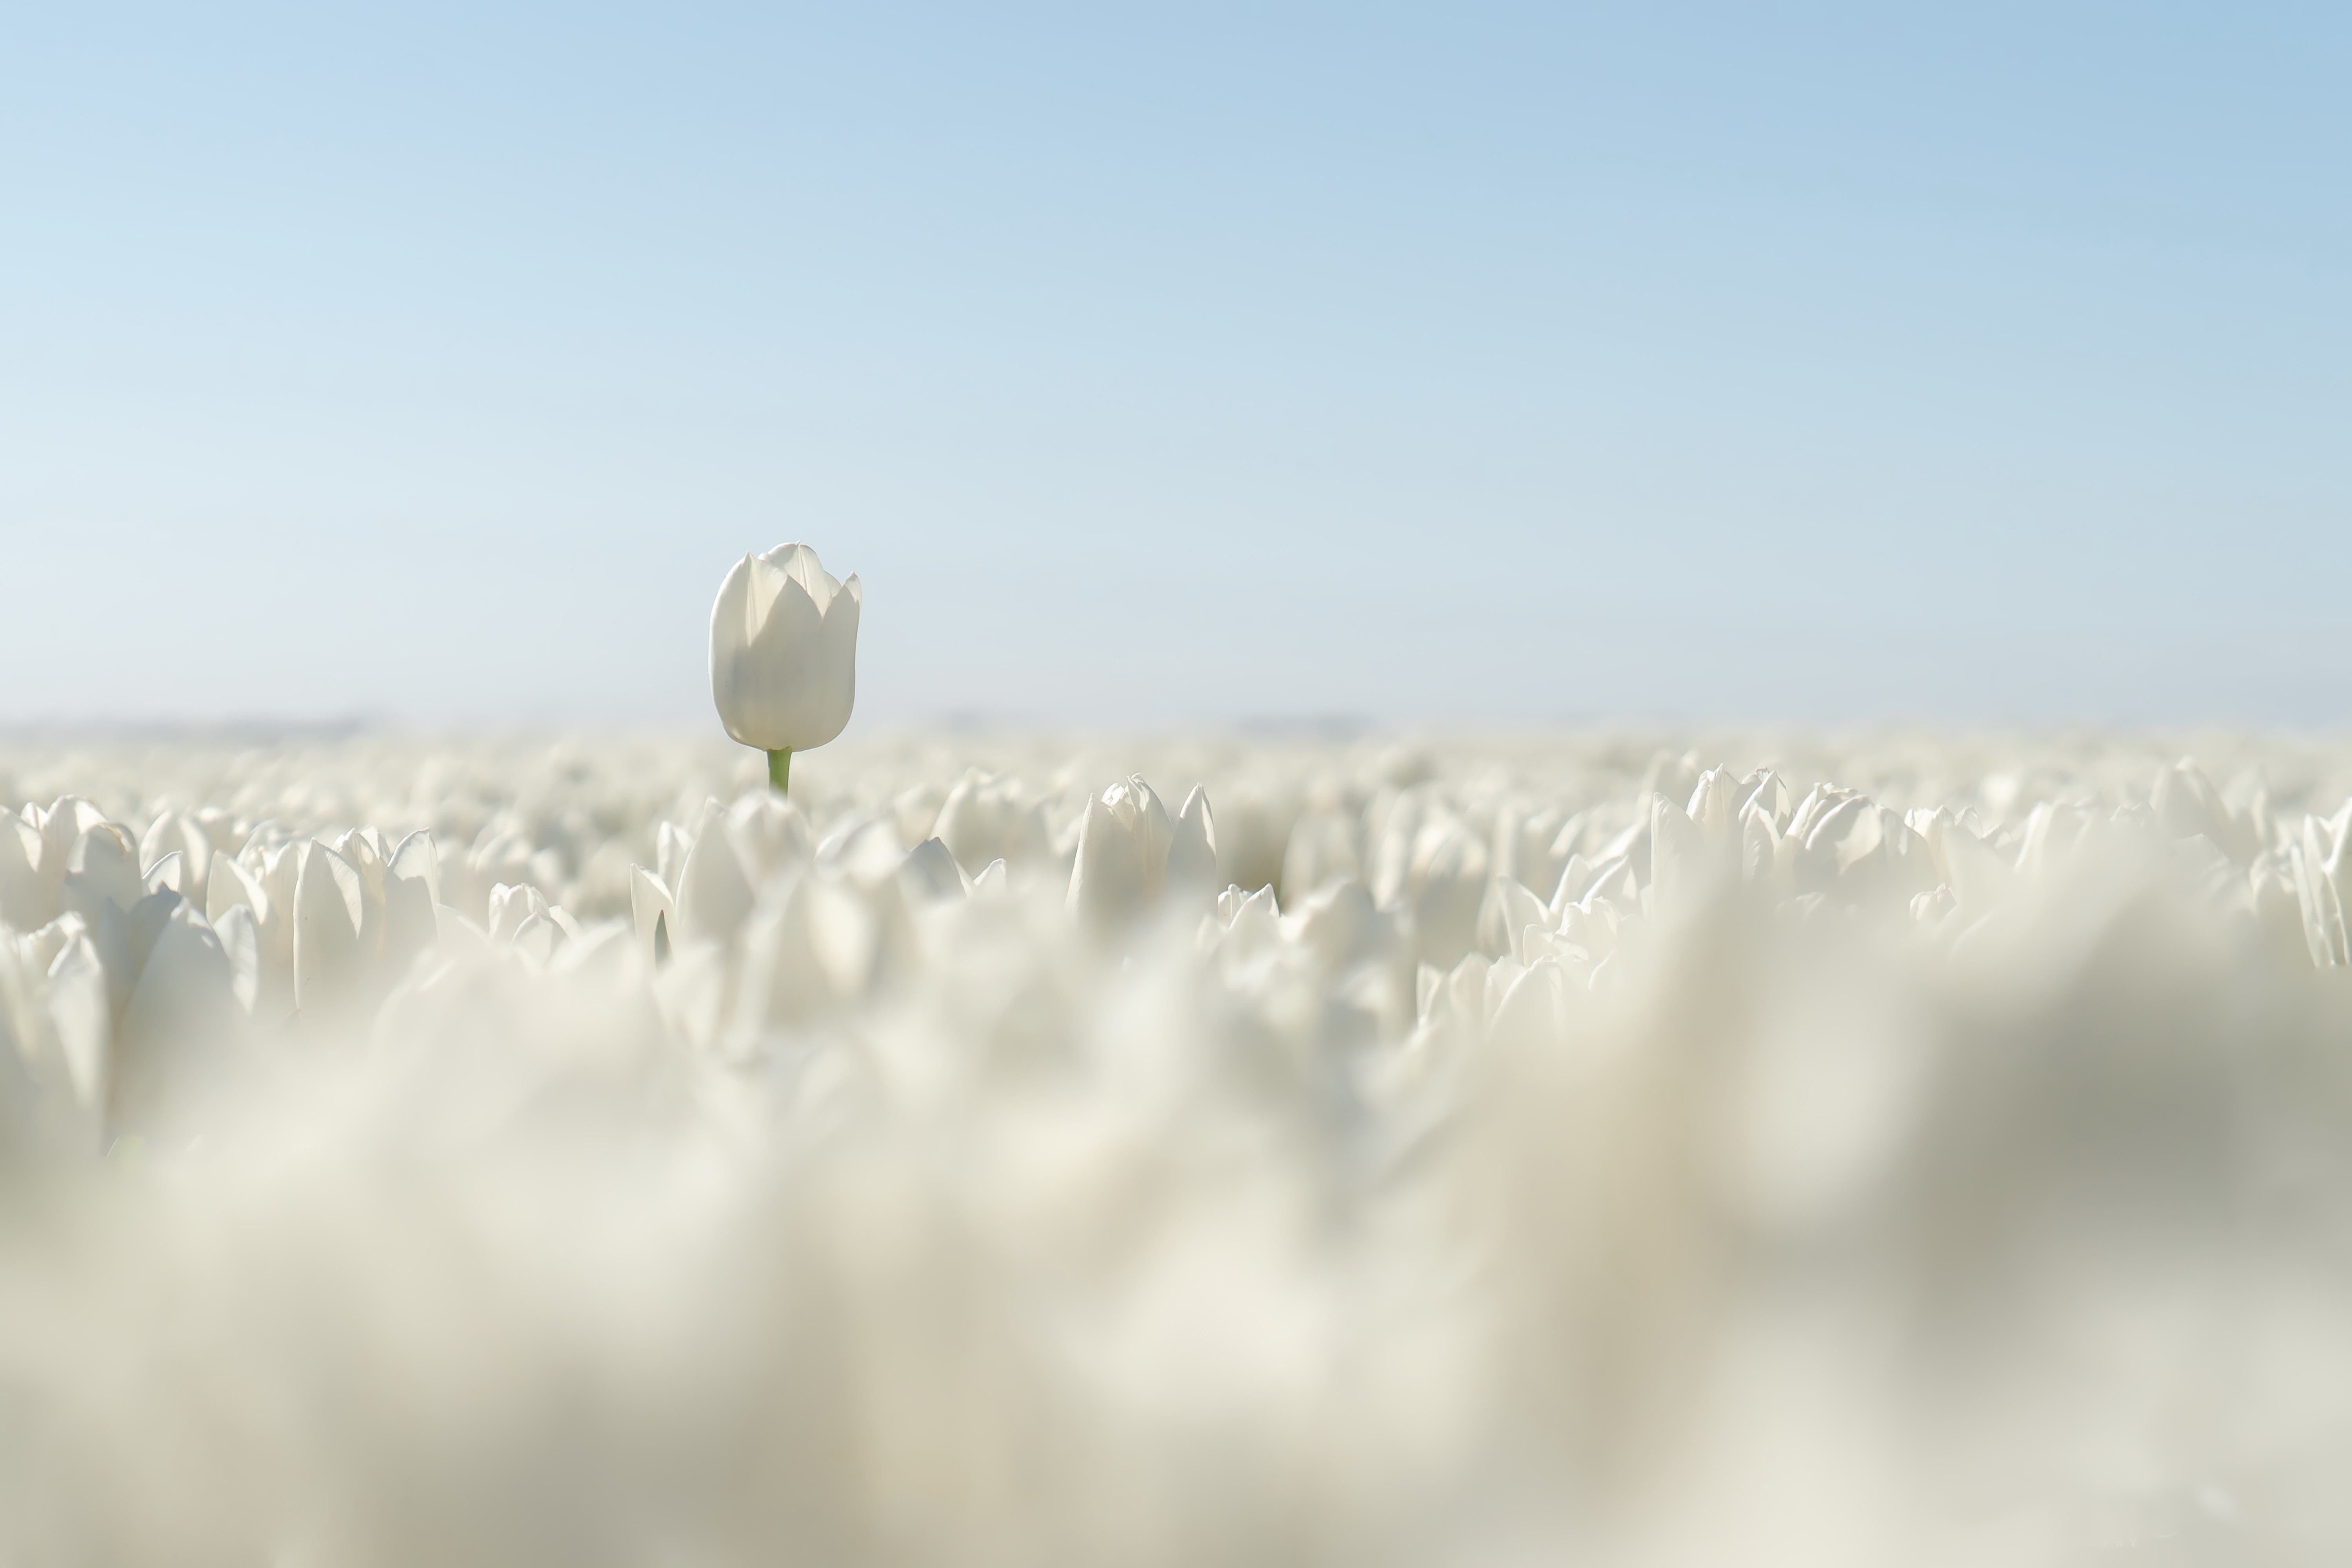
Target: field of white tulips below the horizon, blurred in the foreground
point(1024, 1151)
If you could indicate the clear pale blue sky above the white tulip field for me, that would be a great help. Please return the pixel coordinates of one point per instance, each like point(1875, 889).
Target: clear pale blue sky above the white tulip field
point(1182, 363)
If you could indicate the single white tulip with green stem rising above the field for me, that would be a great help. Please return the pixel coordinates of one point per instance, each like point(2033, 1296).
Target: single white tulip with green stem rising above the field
point(784, 655)
